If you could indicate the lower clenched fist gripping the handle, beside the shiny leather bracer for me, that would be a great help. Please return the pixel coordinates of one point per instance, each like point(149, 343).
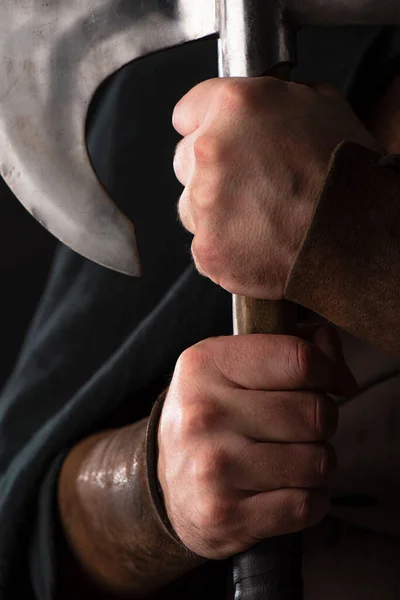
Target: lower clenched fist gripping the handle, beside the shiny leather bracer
point(243, 438)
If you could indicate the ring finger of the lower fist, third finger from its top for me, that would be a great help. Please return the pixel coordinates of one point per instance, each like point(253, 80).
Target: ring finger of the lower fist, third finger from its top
point(258, 467)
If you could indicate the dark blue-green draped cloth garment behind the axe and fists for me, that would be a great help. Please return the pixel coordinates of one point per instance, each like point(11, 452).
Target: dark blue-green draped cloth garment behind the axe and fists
point(102, 346)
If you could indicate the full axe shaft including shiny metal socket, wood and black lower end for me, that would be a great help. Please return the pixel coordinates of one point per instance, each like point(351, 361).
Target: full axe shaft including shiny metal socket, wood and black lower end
point(272, 569)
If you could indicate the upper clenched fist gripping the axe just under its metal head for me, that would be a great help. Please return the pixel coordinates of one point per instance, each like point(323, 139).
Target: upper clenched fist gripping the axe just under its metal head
point(253, 162)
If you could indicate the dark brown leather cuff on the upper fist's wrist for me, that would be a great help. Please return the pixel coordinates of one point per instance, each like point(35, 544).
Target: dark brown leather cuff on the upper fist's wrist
point(348, 268)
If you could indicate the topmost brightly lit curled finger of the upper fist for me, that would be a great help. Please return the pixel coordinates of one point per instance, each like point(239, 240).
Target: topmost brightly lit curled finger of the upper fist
point(191, 110)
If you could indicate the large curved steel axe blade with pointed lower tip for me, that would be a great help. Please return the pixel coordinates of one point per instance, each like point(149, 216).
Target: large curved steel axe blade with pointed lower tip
point(53, 57)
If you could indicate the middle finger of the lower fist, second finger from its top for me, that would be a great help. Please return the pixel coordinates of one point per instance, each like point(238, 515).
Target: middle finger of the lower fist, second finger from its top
point(282, 416)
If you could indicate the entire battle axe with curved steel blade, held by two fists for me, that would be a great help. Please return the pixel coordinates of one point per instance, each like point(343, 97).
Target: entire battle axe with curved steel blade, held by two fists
point(54, 55)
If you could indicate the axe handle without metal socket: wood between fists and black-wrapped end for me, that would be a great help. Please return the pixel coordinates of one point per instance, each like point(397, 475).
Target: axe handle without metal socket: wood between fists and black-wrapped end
point(271, 570)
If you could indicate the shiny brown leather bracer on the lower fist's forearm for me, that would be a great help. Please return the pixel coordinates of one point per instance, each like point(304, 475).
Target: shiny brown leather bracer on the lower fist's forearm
point(118, 541)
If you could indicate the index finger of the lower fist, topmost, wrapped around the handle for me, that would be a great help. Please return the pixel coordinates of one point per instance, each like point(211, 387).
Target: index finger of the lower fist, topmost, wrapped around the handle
point(269, 362)
